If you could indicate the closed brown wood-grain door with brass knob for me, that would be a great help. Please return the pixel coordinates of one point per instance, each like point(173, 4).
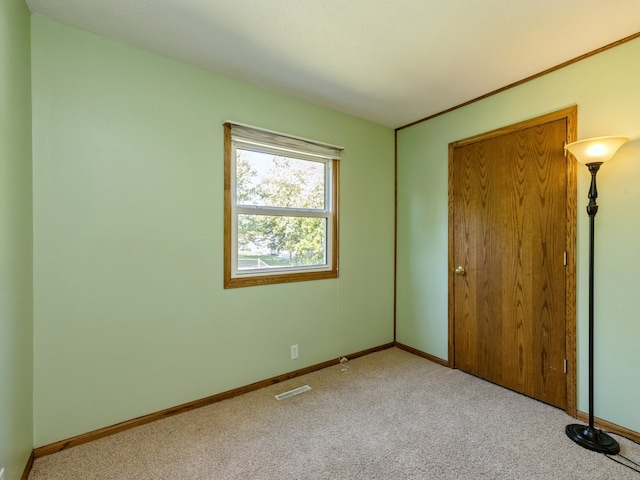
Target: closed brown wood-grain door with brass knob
point(509, 205)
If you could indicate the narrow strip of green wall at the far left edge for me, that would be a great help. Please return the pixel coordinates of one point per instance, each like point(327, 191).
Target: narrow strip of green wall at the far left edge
point(16, 240)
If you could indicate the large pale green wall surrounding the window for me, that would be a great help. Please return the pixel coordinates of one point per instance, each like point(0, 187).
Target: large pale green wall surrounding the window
point(130, 315)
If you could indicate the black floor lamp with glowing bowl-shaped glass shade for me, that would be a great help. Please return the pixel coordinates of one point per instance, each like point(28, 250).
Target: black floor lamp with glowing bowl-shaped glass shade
point(593, 153)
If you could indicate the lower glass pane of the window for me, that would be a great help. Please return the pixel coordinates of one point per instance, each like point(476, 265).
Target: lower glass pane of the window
point(277, 241)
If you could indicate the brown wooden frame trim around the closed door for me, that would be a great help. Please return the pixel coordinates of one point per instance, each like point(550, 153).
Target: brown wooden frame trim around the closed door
point(571, 116)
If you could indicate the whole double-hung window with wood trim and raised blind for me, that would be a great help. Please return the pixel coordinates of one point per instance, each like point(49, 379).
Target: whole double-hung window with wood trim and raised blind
point(281, 208)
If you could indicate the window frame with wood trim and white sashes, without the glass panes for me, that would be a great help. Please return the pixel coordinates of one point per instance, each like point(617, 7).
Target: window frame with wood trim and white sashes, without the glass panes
point(239, 136)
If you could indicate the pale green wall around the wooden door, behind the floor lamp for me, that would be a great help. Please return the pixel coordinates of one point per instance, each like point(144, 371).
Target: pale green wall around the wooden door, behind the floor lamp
point(605, 89)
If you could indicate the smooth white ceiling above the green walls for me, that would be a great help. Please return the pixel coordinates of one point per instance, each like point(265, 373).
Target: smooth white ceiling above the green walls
point(392, 62)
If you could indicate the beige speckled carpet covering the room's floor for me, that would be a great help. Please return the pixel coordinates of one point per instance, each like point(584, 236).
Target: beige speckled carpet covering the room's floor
point(391, 415)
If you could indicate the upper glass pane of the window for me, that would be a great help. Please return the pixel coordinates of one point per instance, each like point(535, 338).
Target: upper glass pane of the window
point(267, 180)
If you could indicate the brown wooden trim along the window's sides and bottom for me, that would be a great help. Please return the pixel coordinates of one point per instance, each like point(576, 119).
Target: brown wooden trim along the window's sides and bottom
point(280, 277)
